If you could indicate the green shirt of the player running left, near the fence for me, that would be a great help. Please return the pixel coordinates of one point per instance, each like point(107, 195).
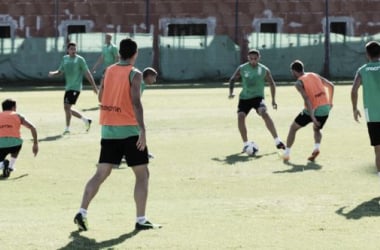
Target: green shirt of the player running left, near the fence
point(73, 68)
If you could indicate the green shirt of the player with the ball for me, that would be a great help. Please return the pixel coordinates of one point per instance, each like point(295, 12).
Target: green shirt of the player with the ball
point(253, 80)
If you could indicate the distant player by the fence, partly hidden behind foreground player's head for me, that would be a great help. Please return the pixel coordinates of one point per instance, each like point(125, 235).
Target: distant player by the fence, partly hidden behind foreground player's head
point(109, 54)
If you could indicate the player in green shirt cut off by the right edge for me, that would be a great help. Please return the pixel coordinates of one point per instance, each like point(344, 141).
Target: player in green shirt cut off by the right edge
point(368, 75)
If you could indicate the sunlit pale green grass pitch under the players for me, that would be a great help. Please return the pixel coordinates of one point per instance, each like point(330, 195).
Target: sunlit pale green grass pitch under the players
point(202, 190)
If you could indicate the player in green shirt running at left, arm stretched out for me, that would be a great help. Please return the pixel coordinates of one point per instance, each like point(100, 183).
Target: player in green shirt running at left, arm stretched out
point(73, 66)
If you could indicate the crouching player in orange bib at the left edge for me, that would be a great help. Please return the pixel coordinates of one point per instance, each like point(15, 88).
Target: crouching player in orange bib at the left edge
point(10, 136)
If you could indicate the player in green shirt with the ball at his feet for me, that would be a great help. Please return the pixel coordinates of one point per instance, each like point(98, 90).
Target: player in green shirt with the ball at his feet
point(253, 76)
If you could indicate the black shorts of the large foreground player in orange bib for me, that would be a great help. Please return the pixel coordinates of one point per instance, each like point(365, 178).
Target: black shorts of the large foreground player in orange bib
point(113, 150)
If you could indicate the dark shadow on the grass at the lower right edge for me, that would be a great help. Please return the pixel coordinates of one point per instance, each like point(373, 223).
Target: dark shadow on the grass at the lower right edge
point(369, 208)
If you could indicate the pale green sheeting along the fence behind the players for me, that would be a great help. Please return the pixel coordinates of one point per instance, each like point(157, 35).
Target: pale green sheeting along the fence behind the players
point(187, 58)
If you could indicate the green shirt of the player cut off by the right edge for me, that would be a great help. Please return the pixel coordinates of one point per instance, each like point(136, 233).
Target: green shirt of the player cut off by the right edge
point(370, 78)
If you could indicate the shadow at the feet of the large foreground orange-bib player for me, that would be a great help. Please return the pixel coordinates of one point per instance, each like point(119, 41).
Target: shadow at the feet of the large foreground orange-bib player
point(82, 242)
